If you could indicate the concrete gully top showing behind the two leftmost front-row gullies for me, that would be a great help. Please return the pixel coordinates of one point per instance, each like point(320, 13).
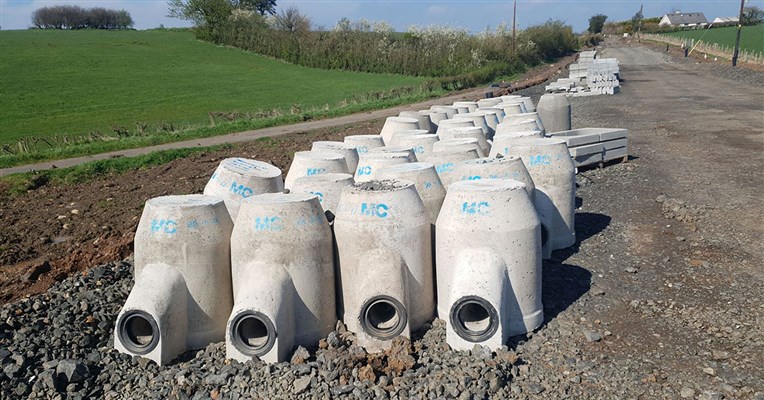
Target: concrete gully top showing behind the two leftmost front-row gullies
point(238, 178)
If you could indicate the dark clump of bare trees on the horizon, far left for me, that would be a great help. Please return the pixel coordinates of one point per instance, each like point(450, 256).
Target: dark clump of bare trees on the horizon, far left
point(75, 17)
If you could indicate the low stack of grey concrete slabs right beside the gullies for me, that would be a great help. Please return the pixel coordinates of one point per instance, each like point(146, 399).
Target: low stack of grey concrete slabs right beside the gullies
point(590, 146)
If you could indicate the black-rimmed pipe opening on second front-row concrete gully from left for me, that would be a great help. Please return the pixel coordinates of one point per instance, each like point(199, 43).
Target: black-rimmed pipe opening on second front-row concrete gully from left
point(253, 333)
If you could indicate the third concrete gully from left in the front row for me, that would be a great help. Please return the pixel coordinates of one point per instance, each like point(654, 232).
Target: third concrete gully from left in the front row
point(383, 237)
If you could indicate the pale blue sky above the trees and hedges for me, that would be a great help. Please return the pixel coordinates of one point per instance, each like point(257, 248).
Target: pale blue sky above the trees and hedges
point(474, 15)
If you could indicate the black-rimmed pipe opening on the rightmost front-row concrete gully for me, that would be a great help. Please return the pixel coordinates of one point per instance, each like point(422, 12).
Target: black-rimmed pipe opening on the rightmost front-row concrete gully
point(474, 319)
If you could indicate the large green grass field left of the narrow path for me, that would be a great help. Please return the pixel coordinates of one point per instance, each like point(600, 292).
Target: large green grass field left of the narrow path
point(73, 83)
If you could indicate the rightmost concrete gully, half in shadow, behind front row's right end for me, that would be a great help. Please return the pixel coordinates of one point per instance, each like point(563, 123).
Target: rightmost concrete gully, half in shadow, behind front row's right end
point(551, 167)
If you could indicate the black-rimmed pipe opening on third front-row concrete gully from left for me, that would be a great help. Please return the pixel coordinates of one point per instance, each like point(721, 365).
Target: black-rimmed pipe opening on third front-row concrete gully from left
point(383, 317)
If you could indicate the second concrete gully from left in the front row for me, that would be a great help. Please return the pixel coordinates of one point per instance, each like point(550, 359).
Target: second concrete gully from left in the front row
point(283, 277)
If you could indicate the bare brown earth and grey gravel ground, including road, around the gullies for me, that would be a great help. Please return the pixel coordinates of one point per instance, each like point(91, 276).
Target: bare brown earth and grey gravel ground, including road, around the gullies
point(661, 296)
